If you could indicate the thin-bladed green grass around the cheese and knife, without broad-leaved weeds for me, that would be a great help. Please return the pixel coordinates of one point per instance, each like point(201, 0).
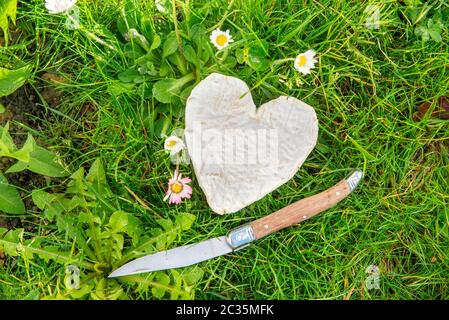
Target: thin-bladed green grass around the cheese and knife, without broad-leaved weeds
point(365, 89)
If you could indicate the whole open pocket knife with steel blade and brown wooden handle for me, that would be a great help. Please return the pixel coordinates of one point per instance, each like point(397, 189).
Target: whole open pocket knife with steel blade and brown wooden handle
point(242, 236)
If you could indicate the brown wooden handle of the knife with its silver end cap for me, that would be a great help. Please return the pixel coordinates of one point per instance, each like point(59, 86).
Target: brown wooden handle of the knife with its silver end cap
point(306, 208)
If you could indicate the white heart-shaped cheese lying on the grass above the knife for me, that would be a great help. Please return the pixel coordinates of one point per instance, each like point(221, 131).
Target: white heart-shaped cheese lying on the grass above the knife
point(240, 153)
